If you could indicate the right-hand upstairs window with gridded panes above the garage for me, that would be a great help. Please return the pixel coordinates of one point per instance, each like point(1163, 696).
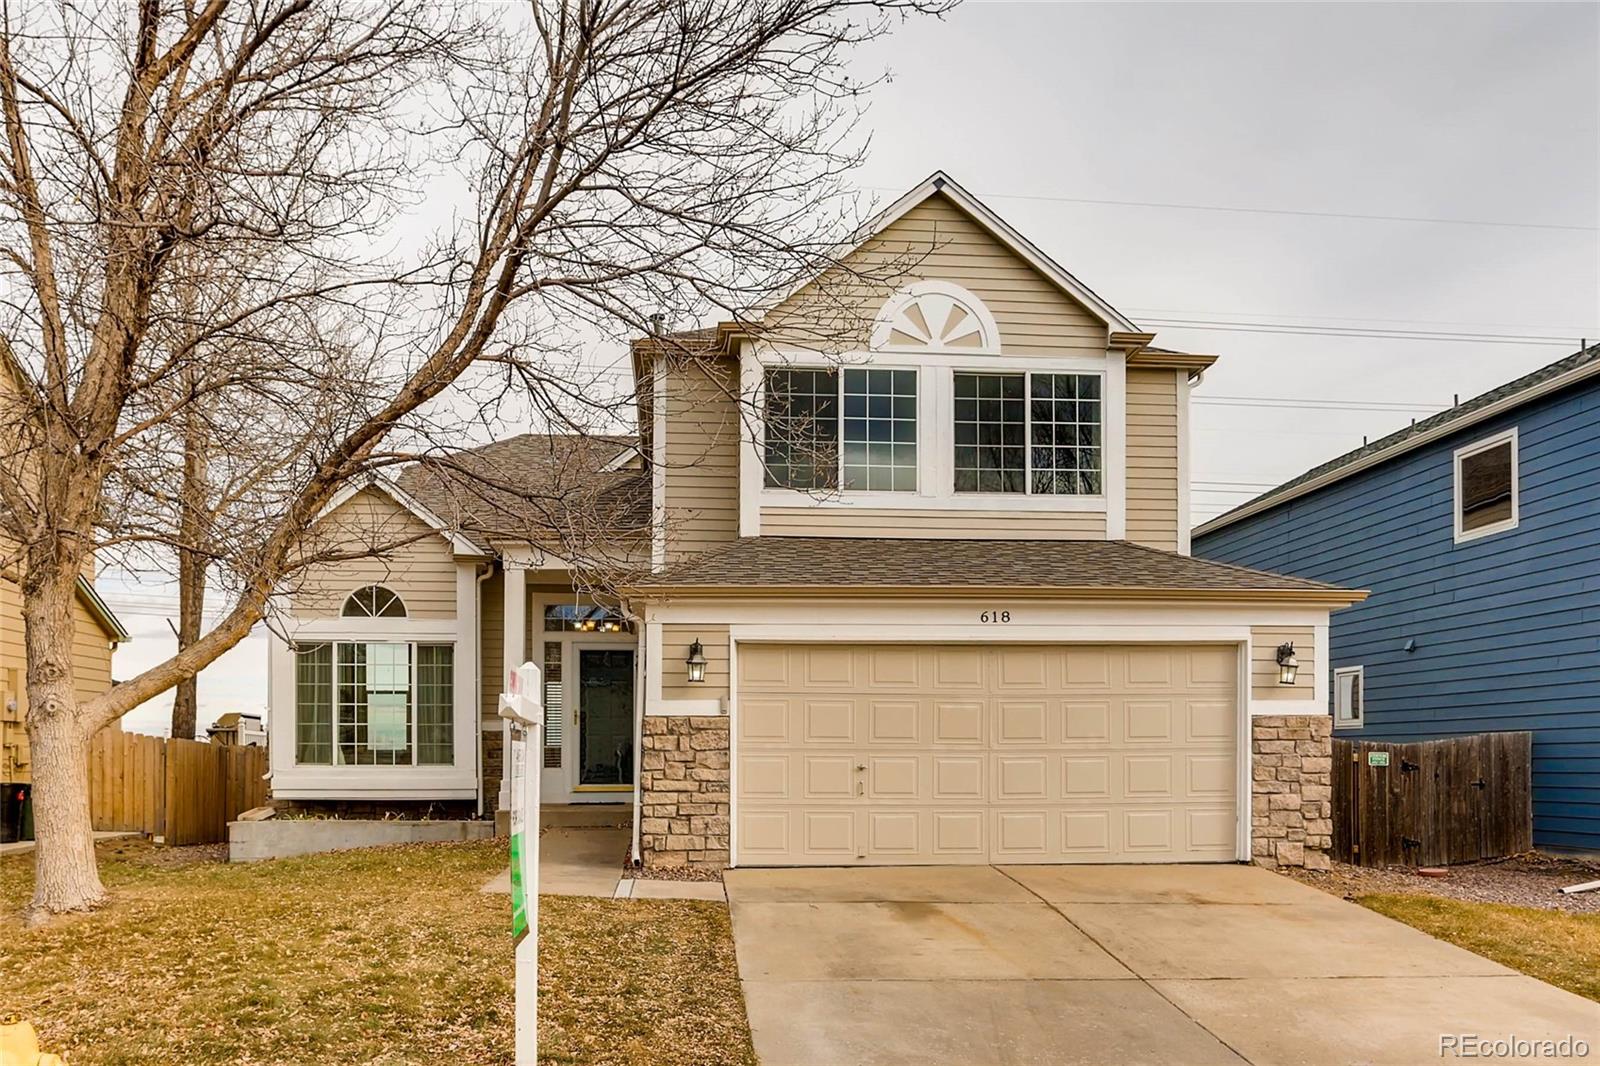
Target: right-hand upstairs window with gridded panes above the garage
point(1028, 433)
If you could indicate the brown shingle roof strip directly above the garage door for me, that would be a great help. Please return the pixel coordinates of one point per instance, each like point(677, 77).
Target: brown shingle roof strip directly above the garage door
point(913, 563)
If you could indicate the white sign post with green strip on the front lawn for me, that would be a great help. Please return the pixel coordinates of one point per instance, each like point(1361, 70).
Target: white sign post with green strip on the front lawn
point(522, 707)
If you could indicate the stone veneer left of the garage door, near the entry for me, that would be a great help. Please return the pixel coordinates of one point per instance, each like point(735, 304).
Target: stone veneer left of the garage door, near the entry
point(684, 782)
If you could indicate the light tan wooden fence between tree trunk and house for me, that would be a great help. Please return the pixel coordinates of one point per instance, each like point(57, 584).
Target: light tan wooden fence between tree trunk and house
point(177, 790)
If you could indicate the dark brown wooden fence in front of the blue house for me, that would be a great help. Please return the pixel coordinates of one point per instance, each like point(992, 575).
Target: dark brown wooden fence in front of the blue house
point(1433, 803)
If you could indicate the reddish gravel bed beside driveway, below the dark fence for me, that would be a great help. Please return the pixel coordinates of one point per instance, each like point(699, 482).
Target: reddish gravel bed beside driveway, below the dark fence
point(1526, 881)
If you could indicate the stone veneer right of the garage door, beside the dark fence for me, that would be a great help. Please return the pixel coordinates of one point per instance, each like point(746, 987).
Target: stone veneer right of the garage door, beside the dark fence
point(1292, 790)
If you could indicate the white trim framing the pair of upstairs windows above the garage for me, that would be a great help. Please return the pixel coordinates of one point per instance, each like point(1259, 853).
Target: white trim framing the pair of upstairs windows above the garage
point(935, 449)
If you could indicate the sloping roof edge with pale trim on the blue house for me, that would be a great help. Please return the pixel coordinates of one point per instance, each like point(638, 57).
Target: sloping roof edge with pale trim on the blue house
point(1559, 375)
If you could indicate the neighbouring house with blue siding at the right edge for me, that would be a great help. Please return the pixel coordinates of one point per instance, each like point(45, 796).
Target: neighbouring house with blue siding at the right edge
point(1479, 535)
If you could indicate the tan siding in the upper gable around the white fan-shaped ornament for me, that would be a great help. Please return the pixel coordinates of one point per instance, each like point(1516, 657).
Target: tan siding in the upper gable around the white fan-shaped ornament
point(938, 241)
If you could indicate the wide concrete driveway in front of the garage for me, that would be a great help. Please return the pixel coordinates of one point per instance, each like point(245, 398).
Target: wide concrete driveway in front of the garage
point(1182, 966)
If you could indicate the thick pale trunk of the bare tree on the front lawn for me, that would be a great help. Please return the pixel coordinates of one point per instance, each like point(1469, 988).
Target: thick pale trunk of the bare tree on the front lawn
point(66, 878)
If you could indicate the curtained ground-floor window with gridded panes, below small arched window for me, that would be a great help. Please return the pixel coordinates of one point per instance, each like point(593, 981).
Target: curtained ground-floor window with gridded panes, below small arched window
point(375, 703)
